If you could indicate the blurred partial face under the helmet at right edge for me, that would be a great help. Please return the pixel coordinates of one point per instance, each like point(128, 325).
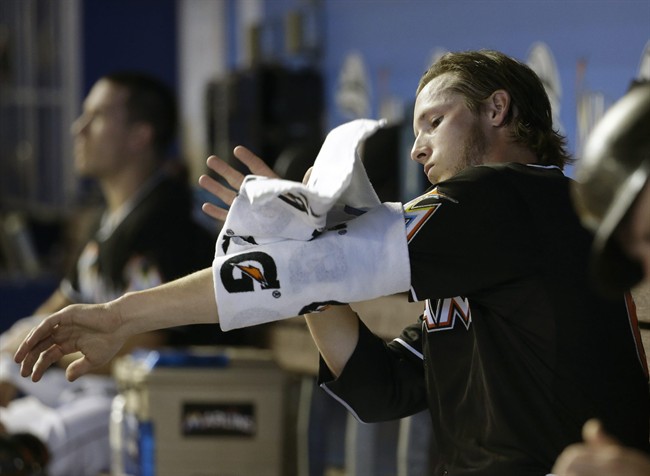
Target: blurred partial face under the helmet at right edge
point(634, 234)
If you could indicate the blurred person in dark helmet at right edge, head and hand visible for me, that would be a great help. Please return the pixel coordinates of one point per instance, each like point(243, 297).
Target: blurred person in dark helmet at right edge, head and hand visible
point(612, 195)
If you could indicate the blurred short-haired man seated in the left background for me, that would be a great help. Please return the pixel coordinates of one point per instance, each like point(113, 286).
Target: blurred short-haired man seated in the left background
point(145, 236)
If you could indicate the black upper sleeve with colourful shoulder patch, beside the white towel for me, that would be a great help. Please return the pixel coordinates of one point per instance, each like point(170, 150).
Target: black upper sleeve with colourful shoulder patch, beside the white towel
point(466, 235)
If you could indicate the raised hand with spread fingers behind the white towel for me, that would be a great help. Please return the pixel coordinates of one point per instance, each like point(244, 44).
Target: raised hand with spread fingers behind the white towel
point(233, 177)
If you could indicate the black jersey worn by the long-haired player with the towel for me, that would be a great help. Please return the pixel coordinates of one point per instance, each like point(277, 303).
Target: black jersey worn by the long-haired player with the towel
point(515, 349)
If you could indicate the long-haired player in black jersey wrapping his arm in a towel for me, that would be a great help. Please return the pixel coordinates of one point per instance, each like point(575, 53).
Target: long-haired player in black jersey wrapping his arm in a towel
point(515, 350)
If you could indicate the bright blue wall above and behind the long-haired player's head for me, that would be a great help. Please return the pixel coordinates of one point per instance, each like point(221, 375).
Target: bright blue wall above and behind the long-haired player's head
point(399, 36)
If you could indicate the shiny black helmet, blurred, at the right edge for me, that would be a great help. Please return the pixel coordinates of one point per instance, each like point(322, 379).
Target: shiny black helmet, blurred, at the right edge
point(609, 178)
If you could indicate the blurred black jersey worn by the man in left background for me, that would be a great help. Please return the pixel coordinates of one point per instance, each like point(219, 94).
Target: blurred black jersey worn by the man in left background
point(152, 240)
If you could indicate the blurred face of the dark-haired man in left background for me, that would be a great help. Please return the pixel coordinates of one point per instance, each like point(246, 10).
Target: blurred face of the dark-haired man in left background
point(101, 132)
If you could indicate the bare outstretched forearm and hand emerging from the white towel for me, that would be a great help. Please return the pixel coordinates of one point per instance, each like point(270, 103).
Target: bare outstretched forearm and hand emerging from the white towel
point(98, 331)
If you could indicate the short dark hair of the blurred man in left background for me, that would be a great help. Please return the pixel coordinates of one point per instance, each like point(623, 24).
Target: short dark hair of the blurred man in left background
point(151, 101)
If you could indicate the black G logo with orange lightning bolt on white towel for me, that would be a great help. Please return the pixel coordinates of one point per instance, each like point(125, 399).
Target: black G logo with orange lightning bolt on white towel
point(242, 273)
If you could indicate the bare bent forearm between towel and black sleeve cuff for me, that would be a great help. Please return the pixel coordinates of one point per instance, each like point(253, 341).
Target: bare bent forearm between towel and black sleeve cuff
point(335, 332)
